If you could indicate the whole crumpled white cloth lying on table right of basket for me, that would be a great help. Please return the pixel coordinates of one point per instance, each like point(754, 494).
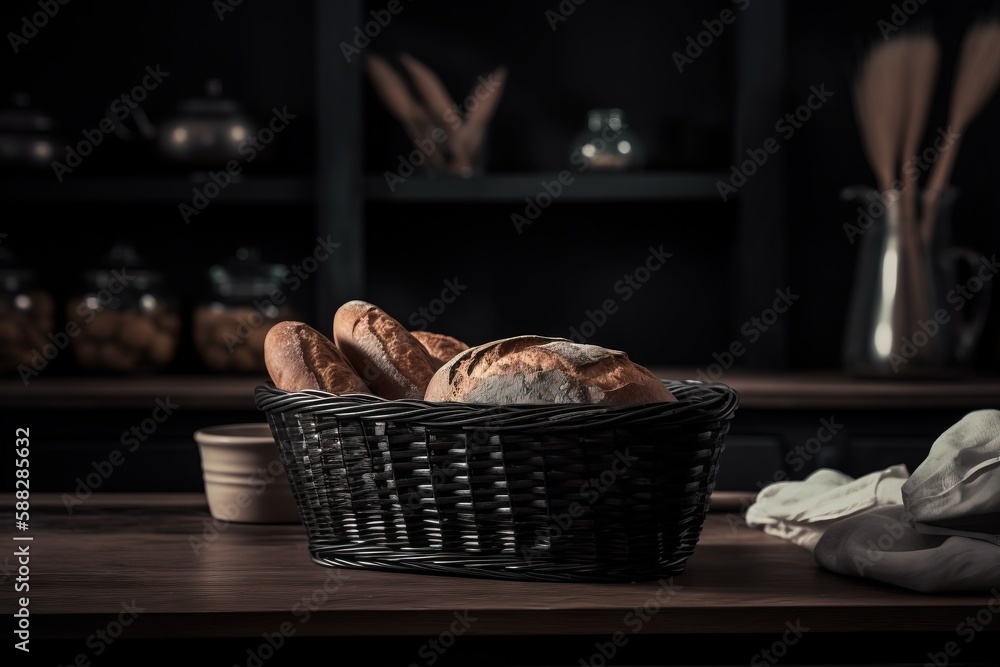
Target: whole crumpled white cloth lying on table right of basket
point(935, 531)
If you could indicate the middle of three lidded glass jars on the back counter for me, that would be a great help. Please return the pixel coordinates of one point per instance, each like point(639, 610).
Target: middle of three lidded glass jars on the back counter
point(128, 319)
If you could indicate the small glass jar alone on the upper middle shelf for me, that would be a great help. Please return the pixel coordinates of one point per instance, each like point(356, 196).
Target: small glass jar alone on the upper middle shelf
point(607, 143)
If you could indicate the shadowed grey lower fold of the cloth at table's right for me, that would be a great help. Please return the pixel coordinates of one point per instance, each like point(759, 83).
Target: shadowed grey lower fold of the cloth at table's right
point(881, 544)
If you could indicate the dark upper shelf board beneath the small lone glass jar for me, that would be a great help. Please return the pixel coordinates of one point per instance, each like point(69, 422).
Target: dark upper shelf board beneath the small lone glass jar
point(631, 186)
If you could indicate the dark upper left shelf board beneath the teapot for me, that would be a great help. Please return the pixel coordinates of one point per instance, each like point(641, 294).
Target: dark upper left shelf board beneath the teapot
point(169, 189)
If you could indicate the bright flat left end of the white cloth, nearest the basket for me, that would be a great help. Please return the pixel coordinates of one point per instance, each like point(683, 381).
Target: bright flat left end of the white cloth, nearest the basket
point(800, 511)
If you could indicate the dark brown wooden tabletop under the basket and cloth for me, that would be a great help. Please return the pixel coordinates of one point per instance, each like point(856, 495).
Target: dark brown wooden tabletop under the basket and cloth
point(192, 577)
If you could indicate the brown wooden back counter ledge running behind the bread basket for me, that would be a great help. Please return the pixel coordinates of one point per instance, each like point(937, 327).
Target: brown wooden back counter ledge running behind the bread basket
point(760, 391)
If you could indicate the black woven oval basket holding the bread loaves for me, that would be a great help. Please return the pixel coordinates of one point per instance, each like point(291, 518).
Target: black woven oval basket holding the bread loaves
point(562, 492)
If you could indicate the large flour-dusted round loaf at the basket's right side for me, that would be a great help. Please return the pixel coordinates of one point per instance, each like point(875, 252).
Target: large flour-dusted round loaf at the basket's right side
point(538, 369)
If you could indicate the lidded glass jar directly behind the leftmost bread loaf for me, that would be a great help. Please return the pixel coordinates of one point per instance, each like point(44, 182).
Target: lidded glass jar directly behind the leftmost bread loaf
point(246, 300)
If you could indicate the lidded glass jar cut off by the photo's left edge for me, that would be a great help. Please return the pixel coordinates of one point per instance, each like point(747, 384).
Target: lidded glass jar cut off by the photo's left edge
point(26, 318)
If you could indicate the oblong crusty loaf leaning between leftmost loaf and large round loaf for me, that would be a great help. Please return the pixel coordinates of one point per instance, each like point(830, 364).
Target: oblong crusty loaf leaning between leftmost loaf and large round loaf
point(388, 358)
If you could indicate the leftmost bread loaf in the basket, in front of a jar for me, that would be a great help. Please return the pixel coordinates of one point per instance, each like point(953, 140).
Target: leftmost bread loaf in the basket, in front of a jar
point(299, 357)
